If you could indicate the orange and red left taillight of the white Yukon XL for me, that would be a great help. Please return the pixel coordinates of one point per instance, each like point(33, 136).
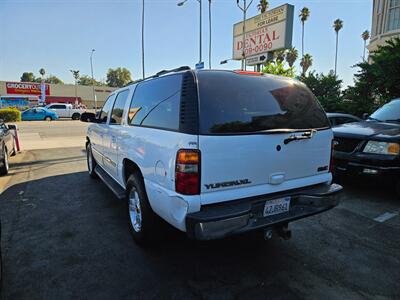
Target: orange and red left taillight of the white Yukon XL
point(187, 172)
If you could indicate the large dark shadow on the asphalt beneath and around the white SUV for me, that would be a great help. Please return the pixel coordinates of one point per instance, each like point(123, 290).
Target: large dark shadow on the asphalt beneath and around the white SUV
point(66, 237)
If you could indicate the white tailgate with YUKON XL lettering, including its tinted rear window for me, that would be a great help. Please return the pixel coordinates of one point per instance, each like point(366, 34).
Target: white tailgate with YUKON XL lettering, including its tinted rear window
point(248, 127)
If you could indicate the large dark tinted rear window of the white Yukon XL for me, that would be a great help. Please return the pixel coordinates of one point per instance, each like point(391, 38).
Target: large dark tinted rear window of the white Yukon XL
point(232, 103)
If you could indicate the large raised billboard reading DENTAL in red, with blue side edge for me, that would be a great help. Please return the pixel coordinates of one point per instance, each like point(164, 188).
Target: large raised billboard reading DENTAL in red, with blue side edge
point(265, 33)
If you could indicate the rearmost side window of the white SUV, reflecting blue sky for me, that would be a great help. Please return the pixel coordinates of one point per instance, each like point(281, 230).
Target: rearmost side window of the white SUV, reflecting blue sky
point(156, 103)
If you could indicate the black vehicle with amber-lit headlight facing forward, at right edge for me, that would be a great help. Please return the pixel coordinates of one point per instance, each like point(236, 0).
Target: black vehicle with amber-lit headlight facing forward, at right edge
point(371, 147)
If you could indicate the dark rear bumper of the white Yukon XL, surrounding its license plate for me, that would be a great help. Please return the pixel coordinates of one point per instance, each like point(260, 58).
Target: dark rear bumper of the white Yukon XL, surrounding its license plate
point(233, 217)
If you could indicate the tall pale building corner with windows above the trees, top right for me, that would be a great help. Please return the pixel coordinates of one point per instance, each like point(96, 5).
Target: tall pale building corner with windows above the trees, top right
point(385, 22)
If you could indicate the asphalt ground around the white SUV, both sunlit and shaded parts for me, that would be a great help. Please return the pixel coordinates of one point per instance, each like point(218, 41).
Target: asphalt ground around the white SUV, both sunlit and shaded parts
point(66, 236)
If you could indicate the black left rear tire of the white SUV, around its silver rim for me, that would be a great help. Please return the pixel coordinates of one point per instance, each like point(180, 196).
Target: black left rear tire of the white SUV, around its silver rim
point(150, 223)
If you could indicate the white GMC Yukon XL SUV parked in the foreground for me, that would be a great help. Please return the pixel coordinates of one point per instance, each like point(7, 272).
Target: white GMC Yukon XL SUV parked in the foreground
point(214, 153)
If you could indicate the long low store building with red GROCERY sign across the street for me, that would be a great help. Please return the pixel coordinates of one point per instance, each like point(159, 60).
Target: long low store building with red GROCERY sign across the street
point(21, 92)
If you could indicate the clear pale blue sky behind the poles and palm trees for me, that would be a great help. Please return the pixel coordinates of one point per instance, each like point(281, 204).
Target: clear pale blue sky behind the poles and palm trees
point(58, 35)
